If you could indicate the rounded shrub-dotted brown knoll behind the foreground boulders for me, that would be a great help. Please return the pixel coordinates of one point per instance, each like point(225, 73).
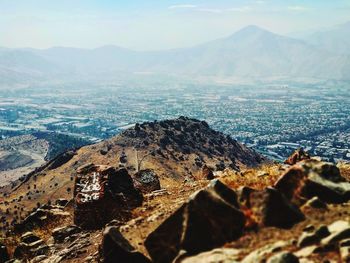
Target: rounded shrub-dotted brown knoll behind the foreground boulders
point(177, 149)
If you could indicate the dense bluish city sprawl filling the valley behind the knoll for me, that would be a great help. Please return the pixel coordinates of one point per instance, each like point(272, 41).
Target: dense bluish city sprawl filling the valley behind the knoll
point(273, 119)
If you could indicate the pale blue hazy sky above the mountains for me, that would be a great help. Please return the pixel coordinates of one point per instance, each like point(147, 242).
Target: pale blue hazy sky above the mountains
point(155, 24)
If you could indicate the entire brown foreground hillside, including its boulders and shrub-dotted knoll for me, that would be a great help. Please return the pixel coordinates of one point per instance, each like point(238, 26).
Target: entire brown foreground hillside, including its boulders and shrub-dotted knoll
point(175, 190)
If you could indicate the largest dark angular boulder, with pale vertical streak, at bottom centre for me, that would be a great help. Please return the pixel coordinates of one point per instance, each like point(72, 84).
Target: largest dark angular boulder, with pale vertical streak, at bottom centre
point(207, 220)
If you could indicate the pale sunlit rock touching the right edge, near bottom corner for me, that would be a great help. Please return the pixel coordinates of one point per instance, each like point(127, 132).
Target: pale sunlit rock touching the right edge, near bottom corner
point(339, 230)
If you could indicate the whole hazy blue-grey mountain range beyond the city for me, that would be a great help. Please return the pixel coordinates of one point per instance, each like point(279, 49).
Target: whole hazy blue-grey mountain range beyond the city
point(250, 53)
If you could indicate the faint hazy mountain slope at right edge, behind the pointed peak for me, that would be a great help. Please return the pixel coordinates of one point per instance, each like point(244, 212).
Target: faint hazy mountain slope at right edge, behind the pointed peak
point(336, 39)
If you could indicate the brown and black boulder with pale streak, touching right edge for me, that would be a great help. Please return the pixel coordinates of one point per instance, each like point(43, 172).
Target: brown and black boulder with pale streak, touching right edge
point(314, 178)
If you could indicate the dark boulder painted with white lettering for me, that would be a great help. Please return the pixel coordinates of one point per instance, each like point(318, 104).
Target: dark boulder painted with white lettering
point(103, 193)
